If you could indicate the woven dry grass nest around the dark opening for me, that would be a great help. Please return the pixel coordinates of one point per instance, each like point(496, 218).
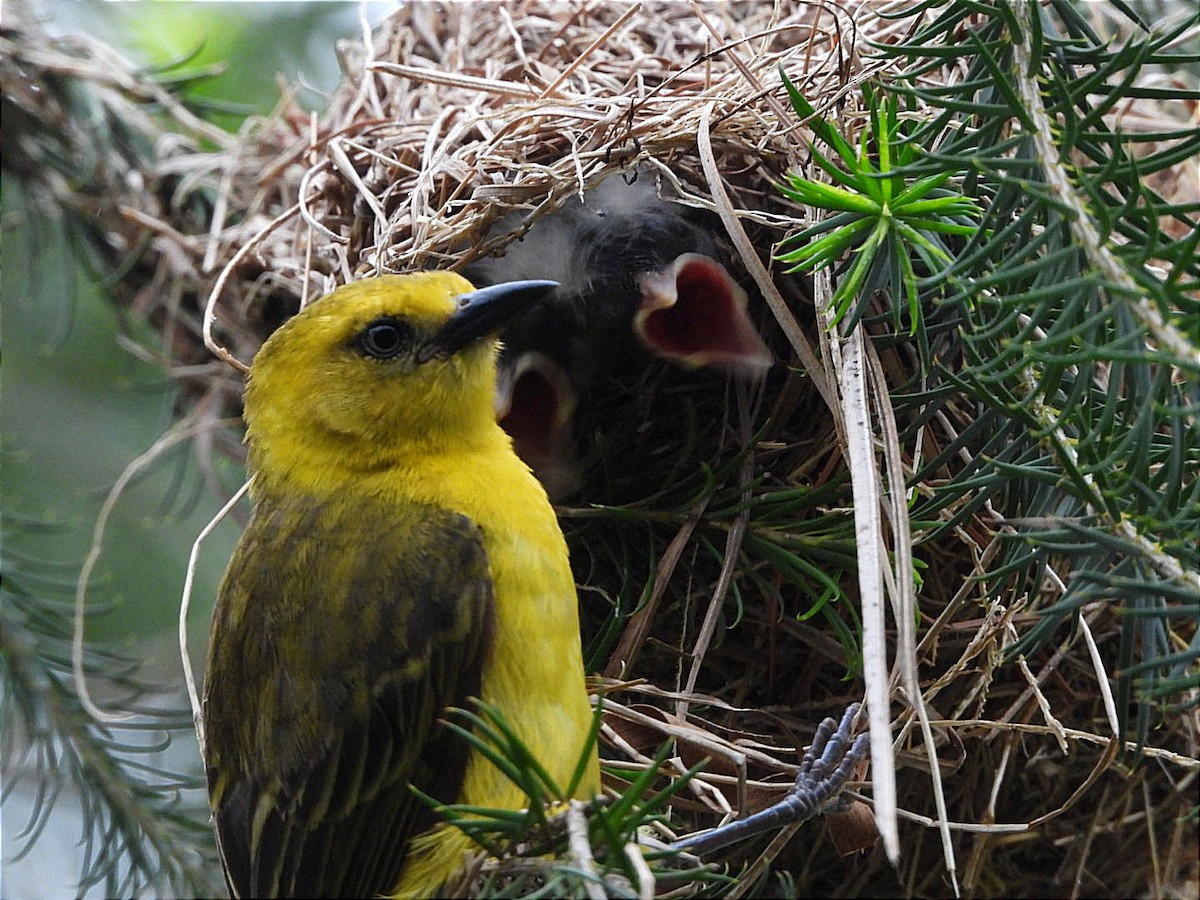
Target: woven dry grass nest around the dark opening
point(698, 619)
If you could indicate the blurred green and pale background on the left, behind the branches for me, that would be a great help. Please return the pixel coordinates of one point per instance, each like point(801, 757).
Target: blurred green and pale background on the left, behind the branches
point(81, 401)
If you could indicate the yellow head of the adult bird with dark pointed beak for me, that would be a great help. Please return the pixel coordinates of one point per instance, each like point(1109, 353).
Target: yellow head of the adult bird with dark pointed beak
point(377, 370)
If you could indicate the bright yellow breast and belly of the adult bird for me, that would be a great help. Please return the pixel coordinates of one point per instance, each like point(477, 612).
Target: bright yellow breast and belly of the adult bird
point(535, 674)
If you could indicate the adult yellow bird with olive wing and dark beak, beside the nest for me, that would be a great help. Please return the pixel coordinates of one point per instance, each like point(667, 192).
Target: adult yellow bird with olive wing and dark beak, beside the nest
point(400, 560)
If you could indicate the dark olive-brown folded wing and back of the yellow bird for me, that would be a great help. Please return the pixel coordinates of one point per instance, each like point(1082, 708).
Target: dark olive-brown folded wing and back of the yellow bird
point(341, 635)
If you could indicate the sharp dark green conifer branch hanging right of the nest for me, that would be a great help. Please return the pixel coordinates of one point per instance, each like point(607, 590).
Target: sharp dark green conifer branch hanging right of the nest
point(1079, 355)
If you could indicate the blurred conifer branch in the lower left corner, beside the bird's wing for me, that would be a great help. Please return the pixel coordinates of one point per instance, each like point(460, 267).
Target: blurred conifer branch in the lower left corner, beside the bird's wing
point(145, 829)
